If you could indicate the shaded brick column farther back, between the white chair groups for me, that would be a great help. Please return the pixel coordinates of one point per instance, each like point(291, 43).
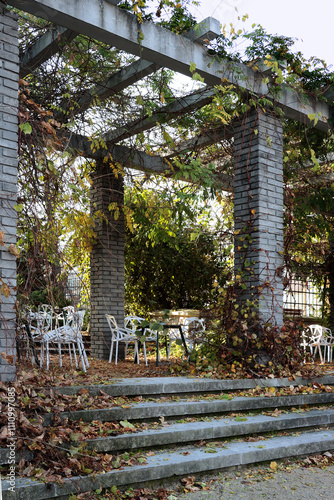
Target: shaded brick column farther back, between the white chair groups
point(107, 257)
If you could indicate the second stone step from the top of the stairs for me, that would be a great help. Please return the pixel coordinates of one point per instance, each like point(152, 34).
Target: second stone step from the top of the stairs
point(156, 409)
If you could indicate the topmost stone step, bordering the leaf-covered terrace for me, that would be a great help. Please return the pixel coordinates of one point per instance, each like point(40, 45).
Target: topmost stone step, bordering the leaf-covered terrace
point(160, 386)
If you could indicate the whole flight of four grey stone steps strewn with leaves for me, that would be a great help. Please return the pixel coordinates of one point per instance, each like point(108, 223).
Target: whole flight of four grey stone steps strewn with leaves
point(209, 433)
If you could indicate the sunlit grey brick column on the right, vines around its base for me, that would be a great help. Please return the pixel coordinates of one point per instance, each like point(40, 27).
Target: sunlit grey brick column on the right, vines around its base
point(258, 213)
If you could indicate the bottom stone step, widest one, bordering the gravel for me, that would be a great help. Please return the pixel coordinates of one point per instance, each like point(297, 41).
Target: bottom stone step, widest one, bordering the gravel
point(189, 460)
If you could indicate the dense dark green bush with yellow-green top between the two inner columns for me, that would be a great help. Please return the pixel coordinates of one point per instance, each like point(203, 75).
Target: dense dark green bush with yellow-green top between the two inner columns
point(170, 262)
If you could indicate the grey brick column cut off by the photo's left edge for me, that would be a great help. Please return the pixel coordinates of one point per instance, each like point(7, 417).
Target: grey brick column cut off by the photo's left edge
point(9, 76)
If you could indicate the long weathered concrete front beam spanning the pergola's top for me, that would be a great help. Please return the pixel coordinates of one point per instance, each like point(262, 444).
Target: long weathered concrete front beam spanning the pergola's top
point(107, 23)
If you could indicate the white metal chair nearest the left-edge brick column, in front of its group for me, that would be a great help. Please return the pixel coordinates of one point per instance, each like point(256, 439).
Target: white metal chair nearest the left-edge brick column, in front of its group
point(68, 333)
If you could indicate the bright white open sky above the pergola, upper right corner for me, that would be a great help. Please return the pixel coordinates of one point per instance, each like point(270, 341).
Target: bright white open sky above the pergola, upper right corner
point(309, 21)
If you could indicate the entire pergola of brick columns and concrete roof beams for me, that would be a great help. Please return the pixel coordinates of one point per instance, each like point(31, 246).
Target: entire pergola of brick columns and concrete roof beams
point(258, 151)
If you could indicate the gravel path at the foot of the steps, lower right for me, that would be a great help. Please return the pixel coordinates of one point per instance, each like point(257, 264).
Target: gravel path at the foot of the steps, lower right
point(299, 483)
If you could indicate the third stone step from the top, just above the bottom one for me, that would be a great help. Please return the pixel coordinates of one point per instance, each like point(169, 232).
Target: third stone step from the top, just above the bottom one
point(183, 433)
